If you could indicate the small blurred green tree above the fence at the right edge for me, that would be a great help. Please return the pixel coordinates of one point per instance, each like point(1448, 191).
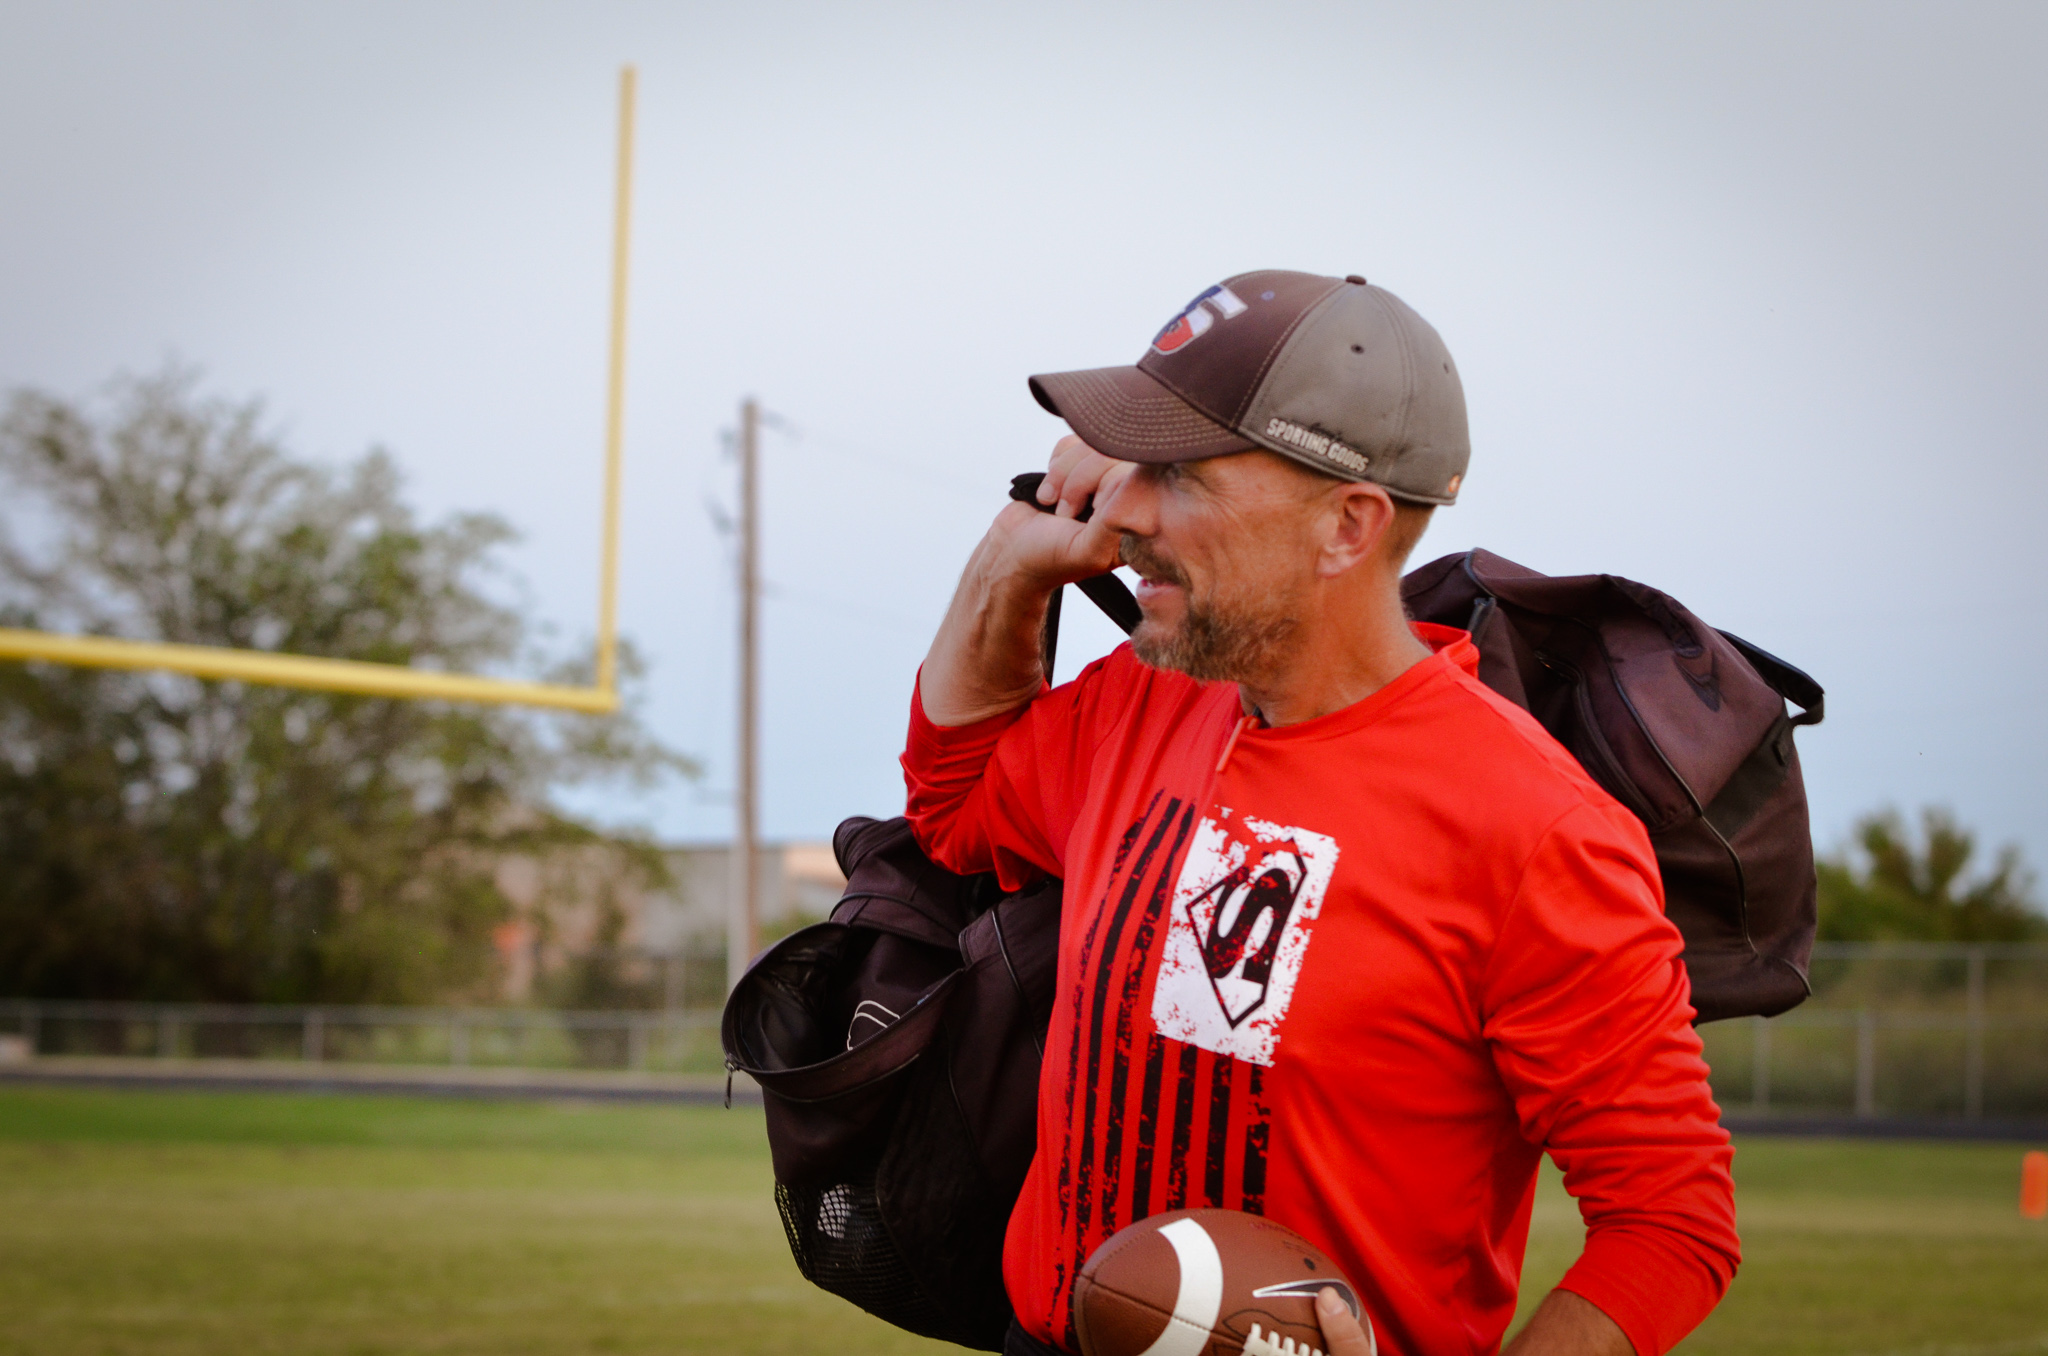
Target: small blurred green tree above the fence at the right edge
point(1893, 890)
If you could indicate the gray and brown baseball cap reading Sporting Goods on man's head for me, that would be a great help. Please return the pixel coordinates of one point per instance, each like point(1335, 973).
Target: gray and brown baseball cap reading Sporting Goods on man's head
point(1334, 374)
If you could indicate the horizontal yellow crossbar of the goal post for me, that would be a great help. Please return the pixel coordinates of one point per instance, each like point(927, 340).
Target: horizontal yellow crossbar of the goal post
point(296, 671)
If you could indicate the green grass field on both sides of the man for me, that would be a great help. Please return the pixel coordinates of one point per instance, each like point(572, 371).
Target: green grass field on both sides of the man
point(337, 1226)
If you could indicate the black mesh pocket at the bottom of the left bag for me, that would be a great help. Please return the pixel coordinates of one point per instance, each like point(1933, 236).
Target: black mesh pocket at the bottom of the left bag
point(841, 1244)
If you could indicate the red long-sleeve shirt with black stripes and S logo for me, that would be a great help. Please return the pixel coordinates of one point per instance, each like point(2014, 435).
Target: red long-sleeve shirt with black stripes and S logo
point(1357, 980)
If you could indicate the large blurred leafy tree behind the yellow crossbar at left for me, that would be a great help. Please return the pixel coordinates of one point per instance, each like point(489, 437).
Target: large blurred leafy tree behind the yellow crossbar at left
point(175, 839)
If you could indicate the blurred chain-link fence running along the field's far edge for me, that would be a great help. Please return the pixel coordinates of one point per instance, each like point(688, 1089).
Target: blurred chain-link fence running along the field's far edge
point(1920, 1031)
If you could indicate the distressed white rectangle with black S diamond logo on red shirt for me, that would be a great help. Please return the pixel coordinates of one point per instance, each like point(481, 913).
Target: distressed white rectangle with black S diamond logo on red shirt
point(1240, 925)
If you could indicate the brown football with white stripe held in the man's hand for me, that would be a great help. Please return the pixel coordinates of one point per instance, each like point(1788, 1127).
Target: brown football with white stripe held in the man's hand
point(1207, 1283)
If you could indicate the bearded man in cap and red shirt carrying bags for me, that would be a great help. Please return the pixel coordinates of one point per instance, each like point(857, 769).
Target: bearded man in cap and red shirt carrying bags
point(1349, 939)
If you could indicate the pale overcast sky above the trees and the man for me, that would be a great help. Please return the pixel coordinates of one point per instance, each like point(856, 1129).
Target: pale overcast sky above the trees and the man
point(1748, 302)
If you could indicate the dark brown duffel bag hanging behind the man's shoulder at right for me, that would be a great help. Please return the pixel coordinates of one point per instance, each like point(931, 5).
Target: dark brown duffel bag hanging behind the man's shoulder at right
point(1682, 724)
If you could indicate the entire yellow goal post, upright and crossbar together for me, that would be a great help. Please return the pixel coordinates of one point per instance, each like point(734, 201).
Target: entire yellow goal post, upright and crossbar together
point(368, 679)
